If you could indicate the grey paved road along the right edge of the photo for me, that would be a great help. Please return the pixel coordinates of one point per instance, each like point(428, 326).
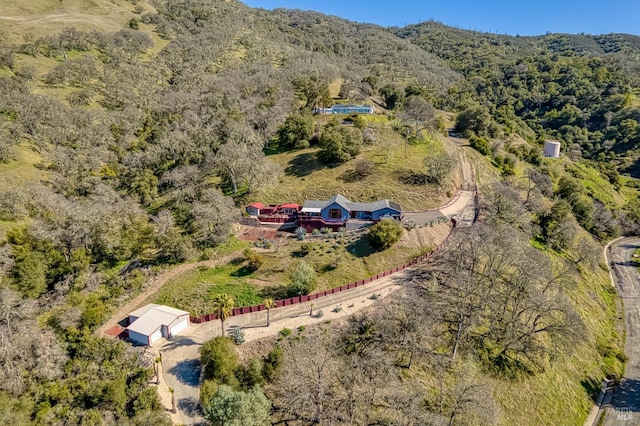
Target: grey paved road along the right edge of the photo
point(624, 407)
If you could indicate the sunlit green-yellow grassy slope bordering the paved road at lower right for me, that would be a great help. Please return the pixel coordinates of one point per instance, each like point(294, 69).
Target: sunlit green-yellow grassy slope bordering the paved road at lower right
point(565, 392)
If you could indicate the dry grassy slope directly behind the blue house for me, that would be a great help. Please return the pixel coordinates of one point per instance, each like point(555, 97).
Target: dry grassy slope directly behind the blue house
point(305, 178)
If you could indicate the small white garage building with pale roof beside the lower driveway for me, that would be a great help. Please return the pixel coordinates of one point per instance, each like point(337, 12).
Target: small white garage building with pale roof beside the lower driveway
point(152, 322)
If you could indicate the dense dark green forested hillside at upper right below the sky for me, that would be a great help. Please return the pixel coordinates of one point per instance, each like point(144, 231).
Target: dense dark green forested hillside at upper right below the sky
point(579, 89)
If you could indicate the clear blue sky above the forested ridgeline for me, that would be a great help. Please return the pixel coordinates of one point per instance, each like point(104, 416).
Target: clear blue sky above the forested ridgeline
point(524, 17)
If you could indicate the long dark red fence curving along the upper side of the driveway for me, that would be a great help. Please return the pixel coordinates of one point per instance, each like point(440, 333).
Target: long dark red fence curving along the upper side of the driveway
point(307, 298)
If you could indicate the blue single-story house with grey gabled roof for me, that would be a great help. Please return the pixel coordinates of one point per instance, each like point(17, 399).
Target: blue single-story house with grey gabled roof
point(339, 209)
